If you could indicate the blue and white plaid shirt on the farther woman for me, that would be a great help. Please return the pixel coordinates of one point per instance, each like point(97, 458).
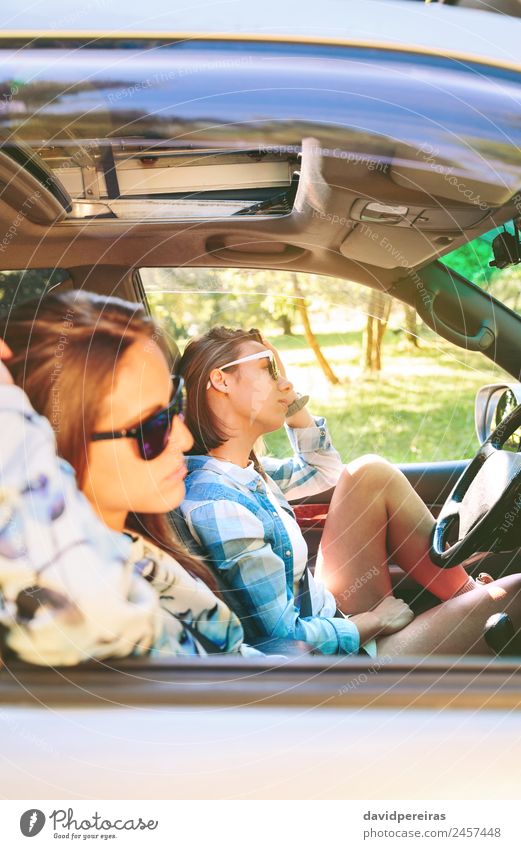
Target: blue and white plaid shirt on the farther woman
point(231, 518)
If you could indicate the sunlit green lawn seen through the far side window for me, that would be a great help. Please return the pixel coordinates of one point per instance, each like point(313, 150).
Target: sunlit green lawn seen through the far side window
point(420, 408)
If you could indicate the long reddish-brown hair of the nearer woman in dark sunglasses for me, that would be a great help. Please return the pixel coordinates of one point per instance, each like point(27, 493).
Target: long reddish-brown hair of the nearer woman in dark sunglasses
point(65, 349)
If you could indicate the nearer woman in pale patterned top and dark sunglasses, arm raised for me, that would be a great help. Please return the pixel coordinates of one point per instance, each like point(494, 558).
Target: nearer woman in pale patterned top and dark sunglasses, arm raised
point(75, 586)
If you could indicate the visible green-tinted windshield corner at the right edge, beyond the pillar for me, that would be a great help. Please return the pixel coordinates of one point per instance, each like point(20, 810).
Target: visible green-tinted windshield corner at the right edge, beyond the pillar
point(474, 259)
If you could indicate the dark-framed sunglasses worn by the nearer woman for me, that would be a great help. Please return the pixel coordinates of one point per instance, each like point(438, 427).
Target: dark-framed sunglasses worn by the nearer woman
point(152, 433)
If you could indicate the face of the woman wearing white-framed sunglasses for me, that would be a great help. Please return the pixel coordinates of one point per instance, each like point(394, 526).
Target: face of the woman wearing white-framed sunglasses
point(255, 398)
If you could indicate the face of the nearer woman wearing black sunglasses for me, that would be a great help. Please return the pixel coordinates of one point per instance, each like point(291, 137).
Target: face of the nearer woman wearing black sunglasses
point(118, 480)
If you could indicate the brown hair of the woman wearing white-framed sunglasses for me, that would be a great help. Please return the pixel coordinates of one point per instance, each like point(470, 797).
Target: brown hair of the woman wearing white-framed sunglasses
point(211, 350)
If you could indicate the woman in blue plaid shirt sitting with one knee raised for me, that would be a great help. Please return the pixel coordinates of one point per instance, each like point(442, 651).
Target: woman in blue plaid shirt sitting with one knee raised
point(237, 512)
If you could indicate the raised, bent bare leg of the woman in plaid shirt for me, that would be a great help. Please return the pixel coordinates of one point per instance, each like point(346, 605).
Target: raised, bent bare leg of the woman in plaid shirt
point(375, 513)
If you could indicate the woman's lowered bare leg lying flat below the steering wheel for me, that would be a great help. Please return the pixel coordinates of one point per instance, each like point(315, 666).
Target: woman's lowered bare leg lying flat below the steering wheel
point(456, 626)
